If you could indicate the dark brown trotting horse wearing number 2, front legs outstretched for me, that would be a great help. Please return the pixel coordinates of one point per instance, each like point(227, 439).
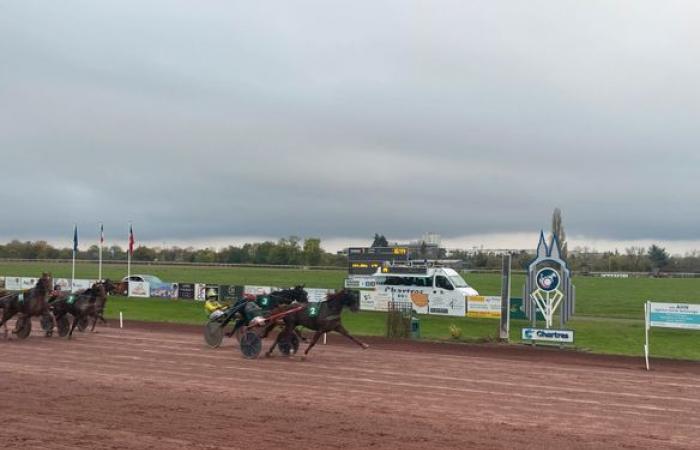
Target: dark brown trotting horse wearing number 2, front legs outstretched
point(321, 317)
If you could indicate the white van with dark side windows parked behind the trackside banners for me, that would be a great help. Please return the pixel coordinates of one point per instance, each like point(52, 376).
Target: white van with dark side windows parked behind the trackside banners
point(431, 290)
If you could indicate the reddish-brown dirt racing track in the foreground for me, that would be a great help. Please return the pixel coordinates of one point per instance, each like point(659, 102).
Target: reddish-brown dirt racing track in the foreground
point(150, 386)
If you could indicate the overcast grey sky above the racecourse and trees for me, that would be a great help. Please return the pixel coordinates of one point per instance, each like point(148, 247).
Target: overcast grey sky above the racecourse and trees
point(204, 121)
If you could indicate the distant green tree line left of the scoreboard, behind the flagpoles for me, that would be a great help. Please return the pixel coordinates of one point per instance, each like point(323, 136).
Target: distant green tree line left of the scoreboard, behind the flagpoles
point(286, 251)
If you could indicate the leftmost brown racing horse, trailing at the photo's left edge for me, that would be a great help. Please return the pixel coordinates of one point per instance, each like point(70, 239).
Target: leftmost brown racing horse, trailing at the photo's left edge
point(30, 303)
